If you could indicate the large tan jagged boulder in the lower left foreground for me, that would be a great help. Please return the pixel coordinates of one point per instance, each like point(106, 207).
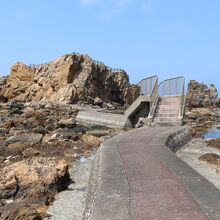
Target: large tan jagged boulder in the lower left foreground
point(29, 177)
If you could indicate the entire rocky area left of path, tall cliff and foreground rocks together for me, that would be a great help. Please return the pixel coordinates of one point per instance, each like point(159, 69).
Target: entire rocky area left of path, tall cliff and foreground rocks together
point(40, 141)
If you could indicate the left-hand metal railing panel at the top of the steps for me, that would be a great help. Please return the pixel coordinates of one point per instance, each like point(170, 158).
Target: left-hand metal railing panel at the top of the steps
point(147, 85)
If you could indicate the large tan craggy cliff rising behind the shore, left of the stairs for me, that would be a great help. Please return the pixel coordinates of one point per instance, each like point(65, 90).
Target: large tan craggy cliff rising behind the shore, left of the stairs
point(69, 79)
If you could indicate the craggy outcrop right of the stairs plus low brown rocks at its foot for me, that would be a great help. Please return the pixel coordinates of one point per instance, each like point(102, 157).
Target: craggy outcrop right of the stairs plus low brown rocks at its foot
point(202, 112)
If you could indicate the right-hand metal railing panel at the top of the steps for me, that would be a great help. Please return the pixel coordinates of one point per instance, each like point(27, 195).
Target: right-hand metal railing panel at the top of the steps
point(171, 87)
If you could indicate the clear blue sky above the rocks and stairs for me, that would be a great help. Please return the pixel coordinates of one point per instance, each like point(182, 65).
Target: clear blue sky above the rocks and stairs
point(144, 37)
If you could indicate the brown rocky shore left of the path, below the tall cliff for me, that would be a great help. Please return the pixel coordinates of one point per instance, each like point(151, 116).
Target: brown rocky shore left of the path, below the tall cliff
point(39, 143)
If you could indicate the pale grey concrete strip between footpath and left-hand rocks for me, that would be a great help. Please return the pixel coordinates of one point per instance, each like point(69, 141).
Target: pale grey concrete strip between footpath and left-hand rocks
point(70, 204)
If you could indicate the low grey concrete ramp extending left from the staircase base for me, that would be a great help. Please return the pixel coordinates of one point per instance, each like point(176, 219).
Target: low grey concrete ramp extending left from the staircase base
point(105, 119)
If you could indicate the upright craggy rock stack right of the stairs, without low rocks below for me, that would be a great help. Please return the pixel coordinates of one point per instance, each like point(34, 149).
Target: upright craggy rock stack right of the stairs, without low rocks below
point(199, 95)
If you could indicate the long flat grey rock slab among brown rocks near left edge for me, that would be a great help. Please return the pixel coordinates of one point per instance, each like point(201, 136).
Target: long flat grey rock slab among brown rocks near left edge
point(34, 138)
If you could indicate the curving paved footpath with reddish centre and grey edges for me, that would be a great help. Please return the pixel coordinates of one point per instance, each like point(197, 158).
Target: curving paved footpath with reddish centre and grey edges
point(136, 177)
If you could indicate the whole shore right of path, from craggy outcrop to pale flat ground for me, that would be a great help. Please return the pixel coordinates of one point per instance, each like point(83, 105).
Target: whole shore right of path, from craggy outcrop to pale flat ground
point(202, 114)
